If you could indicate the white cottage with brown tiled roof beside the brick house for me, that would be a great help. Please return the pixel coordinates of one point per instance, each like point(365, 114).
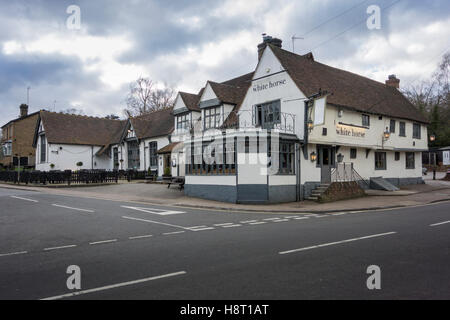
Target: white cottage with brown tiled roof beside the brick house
point(73, 142)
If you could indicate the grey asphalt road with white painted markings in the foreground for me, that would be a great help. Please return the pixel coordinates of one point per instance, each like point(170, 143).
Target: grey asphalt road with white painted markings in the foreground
point(142, 251)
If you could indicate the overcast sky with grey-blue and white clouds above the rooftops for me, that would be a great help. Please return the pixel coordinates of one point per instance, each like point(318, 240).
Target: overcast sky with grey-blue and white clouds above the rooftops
point(185, 43)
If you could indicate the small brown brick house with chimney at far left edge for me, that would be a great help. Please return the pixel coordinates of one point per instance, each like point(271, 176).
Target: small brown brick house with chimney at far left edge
point(17, 140)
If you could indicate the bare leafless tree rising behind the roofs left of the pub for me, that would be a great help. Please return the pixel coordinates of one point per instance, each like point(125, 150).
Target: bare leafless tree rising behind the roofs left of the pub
point(145, 97)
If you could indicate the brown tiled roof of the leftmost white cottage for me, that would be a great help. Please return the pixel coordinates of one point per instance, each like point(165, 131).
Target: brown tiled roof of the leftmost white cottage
point(80, 130)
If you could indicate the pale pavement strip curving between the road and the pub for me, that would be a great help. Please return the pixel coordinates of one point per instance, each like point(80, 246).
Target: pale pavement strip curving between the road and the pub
point(430, 192)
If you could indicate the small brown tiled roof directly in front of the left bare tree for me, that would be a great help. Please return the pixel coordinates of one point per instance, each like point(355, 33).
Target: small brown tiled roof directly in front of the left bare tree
point(154, 124)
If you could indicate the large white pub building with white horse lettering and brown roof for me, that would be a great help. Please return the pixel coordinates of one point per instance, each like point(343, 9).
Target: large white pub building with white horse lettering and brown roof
point(331, 125)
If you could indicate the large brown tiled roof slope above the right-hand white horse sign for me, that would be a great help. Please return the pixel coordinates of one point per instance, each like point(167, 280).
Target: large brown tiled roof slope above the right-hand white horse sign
point(348, 89)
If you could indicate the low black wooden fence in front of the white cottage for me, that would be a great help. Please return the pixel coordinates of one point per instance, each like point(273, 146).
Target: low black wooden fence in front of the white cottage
point(70, 177)
